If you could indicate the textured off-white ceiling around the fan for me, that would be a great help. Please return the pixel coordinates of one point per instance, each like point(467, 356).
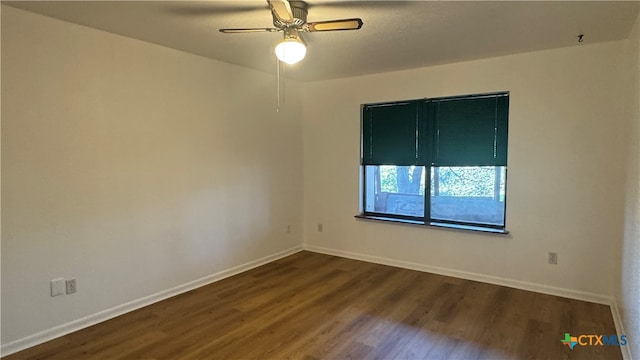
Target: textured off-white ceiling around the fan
point(396, 34)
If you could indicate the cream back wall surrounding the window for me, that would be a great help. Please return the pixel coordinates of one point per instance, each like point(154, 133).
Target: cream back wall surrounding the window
point(567, 143)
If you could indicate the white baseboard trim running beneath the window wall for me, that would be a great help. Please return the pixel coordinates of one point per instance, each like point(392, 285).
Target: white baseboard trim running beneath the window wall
point(517, 284)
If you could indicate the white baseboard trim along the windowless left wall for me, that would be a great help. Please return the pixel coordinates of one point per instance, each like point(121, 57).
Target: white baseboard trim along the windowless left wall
point(64, 329)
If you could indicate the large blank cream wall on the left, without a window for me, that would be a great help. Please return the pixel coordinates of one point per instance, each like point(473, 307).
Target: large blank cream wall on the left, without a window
point(133, 168)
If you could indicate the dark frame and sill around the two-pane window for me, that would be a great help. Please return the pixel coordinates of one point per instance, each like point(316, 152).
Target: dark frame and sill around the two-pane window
point(426, 219)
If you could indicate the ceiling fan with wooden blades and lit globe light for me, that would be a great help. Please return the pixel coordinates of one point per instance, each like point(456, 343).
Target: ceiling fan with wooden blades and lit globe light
point(290, 16)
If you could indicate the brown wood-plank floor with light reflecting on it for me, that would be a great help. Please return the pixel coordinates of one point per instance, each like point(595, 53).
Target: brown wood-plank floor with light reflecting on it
point(313, 306)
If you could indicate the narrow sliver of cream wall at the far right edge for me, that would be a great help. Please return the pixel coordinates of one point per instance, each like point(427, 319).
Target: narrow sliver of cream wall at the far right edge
point(628, 275)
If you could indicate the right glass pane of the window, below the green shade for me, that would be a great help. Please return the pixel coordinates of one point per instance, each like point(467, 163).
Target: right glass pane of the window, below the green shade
point(469, 194)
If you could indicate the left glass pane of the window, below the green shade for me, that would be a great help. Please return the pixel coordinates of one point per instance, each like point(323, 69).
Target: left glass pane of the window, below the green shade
point(397, 190)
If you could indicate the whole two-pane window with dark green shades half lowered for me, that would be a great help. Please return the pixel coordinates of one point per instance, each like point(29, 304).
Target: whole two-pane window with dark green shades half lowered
point(437, 161)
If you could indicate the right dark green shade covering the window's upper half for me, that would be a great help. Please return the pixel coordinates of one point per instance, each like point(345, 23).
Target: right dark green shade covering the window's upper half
point(470, 131)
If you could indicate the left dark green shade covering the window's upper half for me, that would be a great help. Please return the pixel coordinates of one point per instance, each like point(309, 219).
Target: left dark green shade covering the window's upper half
point(390, 134)
